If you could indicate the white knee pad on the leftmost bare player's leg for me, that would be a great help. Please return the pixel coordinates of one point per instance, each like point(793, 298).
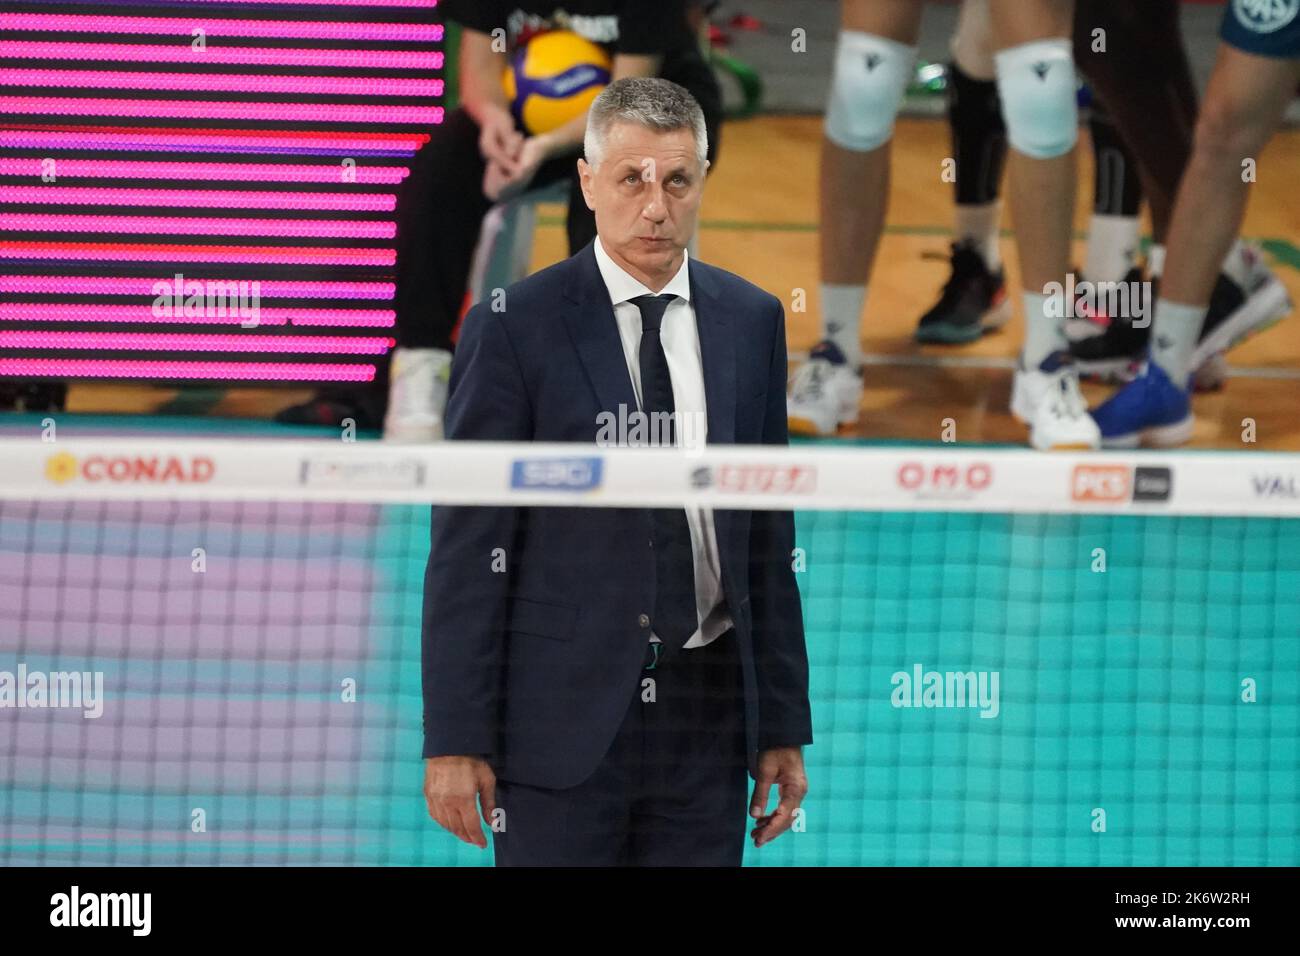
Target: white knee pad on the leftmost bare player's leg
point(870, 79)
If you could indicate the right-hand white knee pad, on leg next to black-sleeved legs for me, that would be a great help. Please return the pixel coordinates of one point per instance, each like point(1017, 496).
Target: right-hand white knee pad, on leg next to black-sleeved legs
point(1037, 85)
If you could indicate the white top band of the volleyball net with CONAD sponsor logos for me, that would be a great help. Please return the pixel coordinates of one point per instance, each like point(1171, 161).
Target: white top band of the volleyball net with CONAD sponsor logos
point(751, 478)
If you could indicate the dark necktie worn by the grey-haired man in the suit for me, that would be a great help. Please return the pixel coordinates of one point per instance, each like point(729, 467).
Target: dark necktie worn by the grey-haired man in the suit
point(675, 566)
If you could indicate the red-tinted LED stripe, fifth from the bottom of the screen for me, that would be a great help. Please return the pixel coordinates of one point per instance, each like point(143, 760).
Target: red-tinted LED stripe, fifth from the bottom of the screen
point(270, 256)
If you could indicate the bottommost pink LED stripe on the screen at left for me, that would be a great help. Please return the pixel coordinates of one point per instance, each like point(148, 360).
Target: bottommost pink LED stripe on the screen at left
point(239, 371)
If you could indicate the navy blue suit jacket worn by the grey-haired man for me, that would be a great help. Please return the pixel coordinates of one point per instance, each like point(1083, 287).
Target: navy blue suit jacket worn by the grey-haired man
point(535, 668)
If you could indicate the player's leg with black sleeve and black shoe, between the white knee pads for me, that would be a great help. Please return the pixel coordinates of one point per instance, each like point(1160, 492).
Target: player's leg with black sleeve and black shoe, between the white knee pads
point(974, 299)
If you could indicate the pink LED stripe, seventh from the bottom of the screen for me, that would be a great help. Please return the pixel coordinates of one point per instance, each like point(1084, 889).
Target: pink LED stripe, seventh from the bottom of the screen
point(222, 200)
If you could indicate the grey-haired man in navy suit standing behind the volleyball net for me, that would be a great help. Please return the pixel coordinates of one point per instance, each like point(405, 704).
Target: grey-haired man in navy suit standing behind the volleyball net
point(603, 680)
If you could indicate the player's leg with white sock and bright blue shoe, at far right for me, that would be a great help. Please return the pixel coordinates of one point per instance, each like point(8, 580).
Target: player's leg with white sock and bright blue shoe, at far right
point(1247, 97)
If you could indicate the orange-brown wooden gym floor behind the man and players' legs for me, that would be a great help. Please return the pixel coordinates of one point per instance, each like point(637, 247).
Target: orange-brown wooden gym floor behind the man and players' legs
point(760, 222)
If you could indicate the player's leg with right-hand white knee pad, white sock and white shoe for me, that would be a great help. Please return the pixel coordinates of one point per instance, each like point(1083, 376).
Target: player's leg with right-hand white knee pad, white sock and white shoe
point(1037, 84)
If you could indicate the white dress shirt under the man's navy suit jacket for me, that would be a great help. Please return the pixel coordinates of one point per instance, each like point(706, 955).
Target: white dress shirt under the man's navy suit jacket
point(682, 347)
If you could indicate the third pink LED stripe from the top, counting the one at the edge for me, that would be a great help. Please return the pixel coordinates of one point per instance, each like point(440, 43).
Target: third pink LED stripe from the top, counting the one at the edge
point(258, 57)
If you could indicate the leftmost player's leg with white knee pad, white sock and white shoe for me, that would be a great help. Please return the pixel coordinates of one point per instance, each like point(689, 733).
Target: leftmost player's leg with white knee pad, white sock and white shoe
point(874, 60)
